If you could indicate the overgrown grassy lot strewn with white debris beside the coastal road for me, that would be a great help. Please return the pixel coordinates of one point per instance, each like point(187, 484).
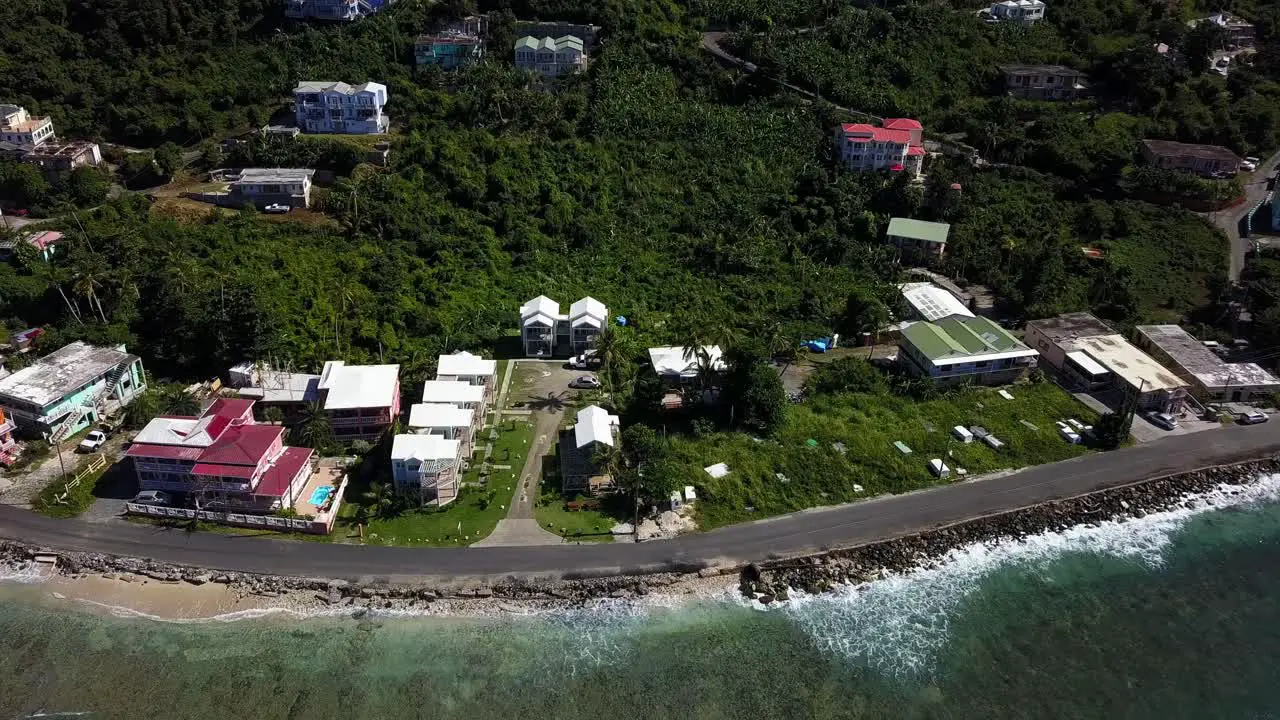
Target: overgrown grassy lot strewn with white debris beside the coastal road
point(868, 425)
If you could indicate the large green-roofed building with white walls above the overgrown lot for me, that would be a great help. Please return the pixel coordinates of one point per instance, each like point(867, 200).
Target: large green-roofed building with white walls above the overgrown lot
point(959, 349)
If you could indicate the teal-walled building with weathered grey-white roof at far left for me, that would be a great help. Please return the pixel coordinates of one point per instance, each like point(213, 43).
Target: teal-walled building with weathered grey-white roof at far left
point(72, 389)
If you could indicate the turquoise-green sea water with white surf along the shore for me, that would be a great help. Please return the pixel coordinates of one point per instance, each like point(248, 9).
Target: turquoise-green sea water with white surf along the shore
point(1174, 616)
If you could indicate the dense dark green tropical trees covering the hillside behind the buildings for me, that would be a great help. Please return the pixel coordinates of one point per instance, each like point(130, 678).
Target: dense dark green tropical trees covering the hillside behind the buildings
point(701, 203)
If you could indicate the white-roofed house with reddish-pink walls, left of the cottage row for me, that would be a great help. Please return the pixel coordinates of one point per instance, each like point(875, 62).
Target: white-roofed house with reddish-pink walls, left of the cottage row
point(362, 402)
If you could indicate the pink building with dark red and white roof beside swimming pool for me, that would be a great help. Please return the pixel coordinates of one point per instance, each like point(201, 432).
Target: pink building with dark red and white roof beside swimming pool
point(225, 458)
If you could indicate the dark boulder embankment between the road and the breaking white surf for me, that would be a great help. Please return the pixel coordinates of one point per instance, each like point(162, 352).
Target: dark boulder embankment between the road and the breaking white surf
point(771, 582)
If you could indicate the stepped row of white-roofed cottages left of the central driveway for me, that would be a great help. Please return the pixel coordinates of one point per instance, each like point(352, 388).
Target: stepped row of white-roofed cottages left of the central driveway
point(428, 462)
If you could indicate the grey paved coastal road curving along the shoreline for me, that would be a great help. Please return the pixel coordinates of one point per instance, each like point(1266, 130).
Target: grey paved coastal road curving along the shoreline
point(790, 535)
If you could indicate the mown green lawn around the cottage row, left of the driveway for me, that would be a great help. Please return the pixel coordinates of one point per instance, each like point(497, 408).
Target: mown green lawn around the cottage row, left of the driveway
point(468, 520)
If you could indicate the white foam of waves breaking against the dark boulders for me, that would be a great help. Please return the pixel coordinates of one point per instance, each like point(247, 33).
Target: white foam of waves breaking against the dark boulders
point(899, 623)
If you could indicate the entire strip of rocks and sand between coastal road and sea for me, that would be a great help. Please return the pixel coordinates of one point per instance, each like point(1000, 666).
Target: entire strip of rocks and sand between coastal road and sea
point(766, 582)
